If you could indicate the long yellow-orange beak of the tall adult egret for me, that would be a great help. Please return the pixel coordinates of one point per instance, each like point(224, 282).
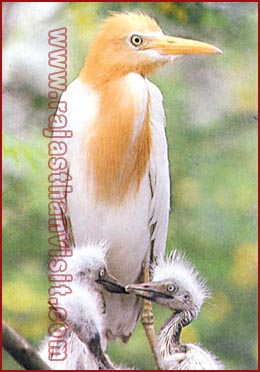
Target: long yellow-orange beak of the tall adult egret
point(169, 45)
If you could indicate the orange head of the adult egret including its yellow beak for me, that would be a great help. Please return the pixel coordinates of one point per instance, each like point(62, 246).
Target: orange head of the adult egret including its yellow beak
point(133, 42)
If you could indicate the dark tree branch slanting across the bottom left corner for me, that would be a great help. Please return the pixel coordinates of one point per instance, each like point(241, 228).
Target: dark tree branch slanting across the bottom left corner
point(21, 350)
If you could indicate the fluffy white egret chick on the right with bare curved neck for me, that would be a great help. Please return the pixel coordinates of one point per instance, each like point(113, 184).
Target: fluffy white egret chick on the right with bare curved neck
point(178, 286)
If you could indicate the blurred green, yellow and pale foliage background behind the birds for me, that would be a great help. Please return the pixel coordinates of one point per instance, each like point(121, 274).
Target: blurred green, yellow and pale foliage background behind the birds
point(211, 109)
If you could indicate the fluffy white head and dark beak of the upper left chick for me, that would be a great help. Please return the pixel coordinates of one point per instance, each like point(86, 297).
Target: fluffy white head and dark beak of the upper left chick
point(88, 265)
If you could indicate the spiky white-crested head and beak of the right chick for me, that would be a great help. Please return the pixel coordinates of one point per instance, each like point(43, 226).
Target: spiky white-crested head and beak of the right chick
point(176, 285)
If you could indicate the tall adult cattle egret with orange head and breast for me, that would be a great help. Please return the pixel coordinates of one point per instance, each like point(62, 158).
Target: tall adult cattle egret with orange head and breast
point(118, 158)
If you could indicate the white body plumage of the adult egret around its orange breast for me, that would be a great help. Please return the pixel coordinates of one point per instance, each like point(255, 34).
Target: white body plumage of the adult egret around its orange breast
point(129, 227)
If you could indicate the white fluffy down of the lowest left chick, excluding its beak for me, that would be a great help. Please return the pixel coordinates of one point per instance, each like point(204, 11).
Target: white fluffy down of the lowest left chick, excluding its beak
point(83, 307)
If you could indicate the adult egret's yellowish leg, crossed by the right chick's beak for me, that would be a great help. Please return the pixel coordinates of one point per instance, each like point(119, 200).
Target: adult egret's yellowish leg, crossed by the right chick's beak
point(147, 318)
